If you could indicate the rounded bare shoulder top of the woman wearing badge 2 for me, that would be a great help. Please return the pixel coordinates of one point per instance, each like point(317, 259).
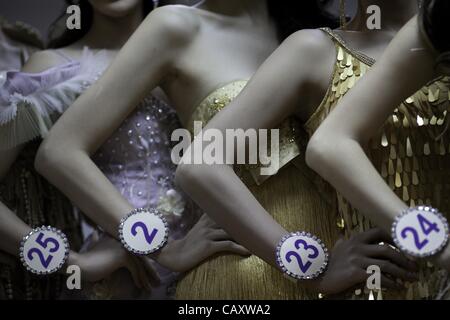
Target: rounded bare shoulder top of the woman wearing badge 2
point(174, 22)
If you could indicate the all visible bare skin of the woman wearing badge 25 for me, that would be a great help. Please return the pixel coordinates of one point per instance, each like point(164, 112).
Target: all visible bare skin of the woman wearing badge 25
point(110, 255)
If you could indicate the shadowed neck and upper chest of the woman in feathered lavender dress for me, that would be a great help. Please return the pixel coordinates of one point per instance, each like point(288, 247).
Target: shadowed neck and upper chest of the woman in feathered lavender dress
point(112, 33)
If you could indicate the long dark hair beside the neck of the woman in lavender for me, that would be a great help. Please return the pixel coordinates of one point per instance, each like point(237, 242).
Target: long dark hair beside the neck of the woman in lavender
point(60, 36)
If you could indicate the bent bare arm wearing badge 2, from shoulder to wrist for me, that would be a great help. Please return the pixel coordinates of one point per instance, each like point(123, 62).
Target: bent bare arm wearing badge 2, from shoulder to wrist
point(64, 157)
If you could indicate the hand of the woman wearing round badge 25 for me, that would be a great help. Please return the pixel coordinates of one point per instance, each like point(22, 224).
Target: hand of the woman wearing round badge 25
point(108, 256)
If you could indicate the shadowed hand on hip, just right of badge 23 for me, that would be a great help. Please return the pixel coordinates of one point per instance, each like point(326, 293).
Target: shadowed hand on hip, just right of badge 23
point(350, 259)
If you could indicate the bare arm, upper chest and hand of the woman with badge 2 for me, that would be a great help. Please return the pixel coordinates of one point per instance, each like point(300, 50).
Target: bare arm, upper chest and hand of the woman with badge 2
point(163, 52)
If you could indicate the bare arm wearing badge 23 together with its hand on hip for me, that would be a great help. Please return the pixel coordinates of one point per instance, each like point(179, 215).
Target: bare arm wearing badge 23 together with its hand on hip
point(283, 82)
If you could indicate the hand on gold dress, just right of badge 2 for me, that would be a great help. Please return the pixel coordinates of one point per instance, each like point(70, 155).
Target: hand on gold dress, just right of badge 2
point(202, 241)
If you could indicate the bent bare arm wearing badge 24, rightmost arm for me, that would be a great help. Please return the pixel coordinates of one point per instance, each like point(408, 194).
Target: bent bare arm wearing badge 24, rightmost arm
point(336, 151)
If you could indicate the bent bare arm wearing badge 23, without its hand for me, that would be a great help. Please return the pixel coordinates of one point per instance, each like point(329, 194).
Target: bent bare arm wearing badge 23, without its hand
point(264, 103)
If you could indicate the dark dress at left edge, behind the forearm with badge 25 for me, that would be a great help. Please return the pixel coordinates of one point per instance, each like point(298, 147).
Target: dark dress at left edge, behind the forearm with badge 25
point(37, 203)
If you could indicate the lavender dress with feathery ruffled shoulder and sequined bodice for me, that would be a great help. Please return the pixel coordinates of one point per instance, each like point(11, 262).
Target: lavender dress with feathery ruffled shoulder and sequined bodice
point(136, 158)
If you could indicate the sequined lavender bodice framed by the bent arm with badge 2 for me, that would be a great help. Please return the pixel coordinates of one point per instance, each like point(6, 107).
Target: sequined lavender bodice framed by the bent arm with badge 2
point(137, 160)
